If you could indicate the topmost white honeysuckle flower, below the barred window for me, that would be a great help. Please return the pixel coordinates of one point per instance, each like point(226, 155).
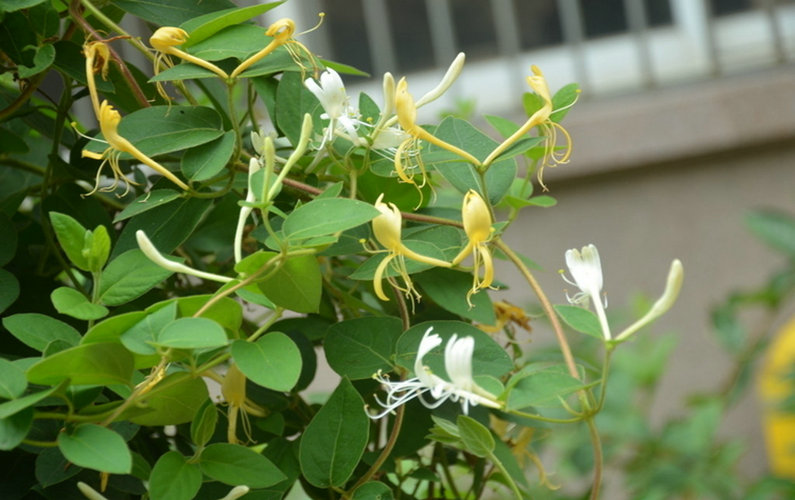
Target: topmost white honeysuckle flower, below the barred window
point(338, 111)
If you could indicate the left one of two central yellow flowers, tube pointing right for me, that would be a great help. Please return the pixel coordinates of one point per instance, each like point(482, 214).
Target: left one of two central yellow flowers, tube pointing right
point(387, 229)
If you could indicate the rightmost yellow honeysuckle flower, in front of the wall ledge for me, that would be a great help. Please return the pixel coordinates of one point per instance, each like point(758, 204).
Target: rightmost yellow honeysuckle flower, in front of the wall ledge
point(549, 129)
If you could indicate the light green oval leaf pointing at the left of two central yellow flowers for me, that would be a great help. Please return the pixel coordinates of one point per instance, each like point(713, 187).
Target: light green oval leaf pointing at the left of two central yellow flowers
point(327, 216)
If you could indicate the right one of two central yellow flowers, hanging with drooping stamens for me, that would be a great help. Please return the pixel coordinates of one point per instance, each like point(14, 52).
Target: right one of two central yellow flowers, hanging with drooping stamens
point(477, 226)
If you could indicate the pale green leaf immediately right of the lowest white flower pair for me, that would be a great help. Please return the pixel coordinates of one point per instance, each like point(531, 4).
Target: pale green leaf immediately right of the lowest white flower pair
point(540, 385)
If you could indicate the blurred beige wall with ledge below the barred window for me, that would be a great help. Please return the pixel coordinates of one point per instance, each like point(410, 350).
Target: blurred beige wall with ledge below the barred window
point(671, 174)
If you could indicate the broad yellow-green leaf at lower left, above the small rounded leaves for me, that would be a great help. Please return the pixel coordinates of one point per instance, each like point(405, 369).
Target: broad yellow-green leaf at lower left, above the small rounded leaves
point(103, 363)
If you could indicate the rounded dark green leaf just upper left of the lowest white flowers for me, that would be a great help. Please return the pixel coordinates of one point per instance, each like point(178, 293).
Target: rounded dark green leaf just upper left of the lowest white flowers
point(358, 348)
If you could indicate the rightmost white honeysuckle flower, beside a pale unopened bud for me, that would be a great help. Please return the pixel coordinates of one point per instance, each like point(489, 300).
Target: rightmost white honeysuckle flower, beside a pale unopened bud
point(586, 270)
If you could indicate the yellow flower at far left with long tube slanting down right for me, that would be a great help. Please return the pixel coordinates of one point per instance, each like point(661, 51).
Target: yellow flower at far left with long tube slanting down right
point(109, 120)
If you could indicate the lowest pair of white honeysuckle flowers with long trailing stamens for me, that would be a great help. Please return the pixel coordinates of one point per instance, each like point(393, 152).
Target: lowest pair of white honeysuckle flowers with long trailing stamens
point(460, 388)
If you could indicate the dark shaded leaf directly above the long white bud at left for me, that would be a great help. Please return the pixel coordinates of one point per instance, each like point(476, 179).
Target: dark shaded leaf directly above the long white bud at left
point(167, 226)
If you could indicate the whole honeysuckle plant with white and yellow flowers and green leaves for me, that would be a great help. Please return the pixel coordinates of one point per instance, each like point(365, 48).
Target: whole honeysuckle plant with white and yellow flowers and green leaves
point(163, 337)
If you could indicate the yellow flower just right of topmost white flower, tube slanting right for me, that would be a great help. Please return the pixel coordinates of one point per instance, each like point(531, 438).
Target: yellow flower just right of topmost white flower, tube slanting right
point(407, 118)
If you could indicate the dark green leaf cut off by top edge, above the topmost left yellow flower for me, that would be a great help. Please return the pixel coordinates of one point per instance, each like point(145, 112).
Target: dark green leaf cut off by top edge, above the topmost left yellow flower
point(173, 12)
